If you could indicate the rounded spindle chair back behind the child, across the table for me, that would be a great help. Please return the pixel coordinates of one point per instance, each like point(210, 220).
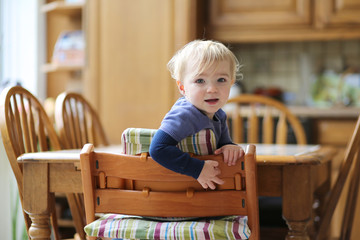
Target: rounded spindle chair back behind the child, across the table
point(260, 112)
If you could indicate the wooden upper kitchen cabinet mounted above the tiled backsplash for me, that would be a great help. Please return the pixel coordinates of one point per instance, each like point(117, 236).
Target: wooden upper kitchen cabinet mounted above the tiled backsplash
point(278, 20)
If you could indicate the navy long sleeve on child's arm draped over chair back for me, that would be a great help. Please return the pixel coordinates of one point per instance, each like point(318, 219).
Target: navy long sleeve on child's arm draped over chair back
point(163, 150)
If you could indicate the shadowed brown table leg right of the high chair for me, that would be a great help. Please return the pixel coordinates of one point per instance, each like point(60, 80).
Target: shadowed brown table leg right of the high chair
point(297, 200)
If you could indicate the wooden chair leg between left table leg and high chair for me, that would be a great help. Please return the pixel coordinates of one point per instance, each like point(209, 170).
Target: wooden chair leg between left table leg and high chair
point(77, 212)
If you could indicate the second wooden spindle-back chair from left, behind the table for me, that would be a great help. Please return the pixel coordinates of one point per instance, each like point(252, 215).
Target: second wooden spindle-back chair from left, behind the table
point(77, 124)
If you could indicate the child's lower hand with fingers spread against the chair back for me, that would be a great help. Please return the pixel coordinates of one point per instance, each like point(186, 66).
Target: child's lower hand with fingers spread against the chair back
point(208, 176)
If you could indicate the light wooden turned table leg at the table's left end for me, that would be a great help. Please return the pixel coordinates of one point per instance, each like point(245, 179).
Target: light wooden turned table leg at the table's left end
point(36, 199)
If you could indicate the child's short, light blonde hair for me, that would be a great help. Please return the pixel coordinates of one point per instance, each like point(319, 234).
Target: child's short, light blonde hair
point(202, 54)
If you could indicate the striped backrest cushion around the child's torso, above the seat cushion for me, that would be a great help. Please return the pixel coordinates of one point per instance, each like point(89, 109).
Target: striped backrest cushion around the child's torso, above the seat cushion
point(137, 140)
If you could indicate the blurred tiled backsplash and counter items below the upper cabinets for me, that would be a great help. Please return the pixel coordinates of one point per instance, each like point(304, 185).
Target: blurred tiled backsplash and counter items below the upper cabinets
point(295, 68)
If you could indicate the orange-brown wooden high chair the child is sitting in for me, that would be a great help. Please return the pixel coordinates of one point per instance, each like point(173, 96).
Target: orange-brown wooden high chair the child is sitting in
point(137, 185)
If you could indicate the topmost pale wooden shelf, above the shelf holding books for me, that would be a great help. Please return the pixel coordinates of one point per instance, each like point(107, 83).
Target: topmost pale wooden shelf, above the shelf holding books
point(63, 7)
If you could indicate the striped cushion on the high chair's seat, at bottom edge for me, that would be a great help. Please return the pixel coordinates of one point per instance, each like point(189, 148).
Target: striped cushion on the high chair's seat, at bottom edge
point(136, 227)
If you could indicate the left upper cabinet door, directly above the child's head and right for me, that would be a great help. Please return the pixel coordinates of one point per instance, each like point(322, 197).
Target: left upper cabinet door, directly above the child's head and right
point(260, 13)
